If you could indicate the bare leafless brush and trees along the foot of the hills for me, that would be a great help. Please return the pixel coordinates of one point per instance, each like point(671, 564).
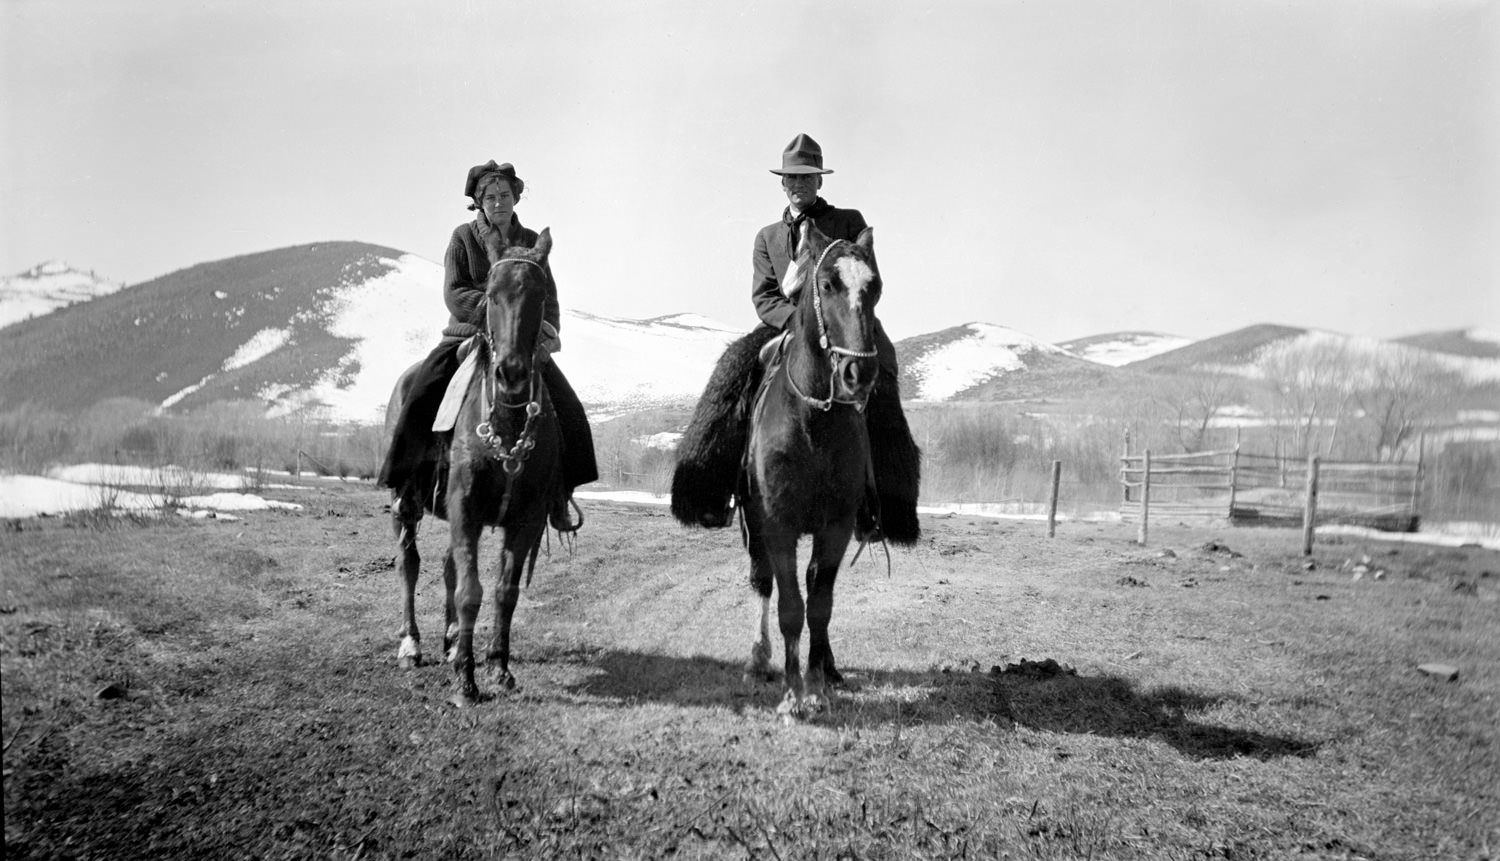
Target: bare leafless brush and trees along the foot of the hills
point(971, 452)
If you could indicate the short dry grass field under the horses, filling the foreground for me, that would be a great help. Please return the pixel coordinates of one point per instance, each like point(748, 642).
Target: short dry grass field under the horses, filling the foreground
point(229, 689)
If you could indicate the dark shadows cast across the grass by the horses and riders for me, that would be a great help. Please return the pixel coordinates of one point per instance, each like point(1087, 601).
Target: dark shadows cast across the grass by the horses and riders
point(1058, 701)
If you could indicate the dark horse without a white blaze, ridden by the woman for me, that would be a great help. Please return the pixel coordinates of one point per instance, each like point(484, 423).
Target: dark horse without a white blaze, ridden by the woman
point(503, 470)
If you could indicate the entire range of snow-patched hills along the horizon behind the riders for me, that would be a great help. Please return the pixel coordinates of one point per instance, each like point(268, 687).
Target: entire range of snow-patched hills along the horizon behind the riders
point(329, 326)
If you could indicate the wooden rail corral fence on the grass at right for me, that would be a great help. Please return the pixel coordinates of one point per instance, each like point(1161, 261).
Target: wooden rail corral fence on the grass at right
point(1267, 490)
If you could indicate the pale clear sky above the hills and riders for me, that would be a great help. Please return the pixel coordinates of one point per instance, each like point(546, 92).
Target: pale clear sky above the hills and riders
point(1061, 167)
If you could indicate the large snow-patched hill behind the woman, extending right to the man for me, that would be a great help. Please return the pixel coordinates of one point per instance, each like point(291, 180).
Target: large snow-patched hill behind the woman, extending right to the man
point(325, 328)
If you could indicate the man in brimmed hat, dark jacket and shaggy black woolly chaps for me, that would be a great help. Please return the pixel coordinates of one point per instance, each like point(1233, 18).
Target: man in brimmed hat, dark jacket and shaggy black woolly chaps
point(713, 448)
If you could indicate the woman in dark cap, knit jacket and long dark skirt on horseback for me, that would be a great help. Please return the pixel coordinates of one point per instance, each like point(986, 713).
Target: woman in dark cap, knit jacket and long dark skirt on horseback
point(494, 190)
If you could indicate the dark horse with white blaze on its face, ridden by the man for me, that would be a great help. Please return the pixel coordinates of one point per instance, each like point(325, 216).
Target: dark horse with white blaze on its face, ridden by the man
point(808, 464)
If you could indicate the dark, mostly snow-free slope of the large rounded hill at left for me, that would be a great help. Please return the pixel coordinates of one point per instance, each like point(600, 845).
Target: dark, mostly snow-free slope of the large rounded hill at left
point(209, 332)
